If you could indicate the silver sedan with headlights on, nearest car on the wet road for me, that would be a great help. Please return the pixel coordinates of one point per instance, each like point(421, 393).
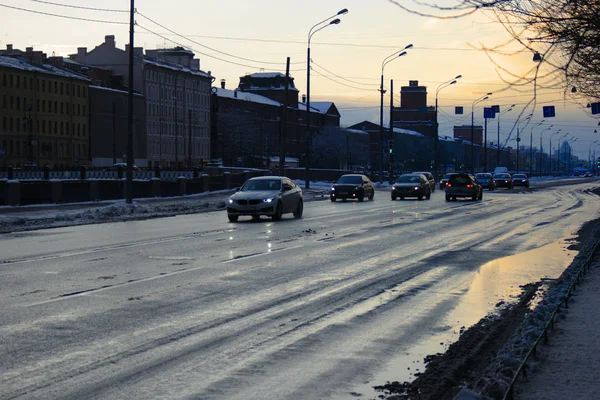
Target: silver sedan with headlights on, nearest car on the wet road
point(271, 196)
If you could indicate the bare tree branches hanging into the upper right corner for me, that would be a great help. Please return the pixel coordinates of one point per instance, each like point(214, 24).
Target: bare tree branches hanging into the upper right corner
point(564, 35)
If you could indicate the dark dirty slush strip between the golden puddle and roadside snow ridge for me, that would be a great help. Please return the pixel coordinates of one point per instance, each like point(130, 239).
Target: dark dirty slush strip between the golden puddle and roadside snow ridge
point(464, 364)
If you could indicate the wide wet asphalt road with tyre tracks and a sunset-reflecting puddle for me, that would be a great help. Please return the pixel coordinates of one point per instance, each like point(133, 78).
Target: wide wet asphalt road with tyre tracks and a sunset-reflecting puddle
point(197, 307)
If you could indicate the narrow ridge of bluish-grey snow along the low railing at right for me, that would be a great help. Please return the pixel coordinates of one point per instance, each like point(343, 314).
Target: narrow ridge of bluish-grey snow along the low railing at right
point(497, 377)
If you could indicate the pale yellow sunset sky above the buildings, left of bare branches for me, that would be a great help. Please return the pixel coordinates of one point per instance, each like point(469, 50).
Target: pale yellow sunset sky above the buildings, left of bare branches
point(234, 37)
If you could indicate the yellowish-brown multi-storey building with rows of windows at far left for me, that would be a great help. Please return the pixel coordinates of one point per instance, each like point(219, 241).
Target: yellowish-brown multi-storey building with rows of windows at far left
point(44, 112)
